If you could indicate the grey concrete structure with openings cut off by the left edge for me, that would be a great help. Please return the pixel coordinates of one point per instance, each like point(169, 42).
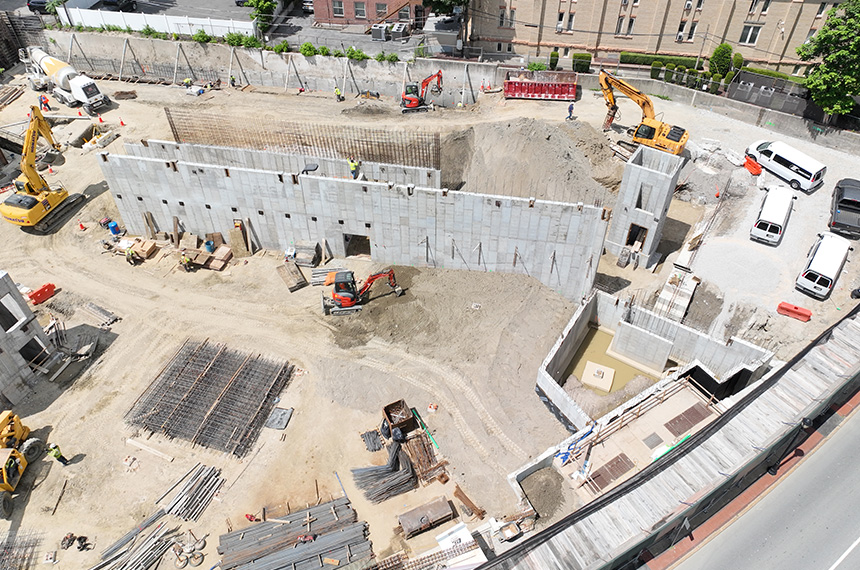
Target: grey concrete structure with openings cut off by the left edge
point(15, 374)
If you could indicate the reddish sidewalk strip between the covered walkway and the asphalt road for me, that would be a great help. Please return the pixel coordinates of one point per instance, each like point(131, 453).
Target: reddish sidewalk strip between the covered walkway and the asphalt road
point(746, 500)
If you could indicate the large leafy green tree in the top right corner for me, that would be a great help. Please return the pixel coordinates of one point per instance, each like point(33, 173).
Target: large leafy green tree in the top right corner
point(836, 77)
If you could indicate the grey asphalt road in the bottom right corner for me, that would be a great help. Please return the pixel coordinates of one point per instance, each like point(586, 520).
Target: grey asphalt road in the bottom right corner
point(811, 520)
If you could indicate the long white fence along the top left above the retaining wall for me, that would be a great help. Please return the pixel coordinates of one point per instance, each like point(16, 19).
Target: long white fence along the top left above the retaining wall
point(159, 22)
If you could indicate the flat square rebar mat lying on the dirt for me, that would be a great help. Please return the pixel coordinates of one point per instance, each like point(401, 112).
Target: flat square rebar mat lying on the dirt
point(211, 396)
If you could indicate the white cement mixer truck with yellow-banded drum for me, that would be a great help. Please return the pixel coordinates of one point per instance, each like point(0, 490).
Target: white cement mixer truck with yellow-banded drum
point(66, 84)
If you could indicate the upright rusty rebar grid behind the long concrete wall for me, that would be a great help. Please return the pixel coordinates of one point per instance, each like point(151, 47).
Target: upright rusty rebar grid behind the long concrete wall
point(407, 148)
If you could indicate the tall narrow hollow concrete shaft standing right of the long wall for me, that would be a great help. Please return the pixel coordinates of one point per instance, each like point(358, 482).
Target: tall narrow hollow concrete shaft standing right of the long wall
point(649, 181)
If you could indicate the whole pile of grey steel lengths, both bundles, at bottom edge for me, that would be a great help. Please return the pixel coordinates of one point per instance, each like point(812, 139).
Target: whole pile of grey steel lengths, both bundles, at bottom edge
point(276, 543)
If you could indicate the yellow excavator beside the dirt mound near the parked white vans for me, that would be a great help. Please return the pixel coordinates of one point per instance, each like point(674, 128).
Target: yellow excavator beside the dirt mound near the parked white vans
point(650, 131)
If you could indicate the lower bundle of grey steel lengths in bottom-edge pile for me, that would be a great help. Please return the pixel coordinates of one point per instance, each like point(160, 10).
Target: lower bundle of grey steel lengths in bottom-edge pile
point(345, 545)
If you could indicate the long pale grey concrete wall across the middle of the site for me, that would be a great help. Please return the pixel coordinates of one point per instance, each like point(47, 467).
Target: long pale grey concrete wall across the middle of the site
point(558, 244)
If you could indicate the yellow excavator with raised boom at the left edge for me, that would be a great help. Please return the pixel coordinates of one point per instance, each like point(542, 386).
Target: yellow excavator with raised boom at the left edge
point(35, 204)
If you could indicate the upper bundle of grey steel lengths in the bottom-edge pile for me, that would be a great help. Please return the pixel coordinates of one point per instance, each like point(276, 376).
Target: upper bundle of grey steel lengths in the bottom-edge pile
point(263, 538)
